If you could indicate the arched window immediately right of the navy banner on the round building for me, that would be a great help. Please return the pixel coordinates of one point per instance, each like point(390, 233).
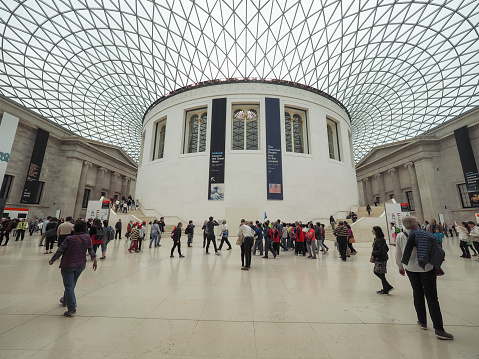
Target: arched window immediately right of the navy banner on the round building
point(295, 130)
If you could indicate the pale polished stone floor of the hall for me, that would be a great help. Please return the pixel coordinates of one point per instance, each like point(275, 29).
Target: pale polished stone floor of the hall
point(147, 305)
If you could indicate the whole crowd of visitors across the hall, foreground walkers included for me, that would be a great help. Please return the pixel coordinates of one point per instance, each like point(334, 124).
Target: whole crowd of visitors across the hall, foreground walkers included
point(416, 254)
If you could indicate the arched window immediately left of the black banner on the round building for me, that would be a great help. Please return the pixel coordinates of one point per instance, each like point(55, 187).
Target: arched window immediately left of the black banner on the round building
point(195, 131)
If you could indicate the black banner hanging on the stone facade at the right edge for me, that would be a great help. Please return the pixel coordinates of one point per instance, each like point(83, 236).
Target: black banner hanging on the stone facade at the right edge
point(468, 162)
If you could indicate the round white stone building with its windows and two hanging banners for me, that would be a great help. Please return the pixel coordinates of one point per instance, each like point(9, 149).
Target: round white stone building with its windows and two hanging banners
point(245, 149)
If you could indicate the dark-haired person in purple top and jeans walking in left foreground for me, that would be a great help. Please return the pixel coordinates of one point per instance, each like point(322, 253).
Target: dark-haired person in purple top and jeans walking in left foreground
point(72, 264)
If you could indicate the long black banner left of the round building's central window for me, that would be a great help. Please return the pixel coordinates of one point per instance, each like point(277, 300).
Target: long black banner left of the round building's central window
point(216, 183)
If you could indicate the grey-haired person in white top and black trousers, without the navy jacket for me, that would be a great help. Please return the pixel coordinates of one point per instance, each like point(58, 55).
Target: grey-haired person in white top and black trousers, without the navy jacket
point(423, 281)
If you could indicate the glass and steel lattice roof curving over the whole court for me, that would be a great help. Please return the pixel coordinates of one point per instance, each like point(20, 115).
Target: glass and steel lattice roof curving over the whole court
point(95, 66)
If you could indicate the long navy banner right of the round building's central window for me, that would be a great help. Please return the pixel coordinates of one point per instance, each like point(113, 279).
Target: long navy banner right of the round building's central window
point(274, 163)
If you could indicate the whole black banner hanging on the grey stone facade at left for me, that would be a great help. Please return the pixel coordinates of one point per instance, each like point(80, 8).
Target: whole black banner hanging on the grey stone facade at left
point(30, 190)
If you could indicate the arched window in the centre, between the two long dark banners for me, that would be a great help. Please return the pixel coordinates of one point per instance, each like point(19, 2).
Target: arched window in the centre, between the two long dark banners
point(245, 127)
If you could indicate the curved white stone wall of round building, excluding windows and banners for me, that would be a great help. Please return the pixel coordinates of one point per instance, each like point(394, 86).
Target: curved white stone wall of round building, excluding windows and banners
point(314, 186)
